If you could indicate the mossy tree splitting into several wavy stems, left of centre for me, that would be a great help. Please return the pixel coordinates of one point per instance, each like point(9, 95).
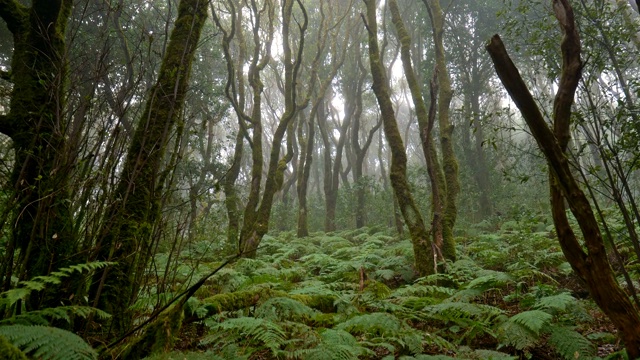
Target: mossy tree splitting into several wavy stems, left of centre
point(257, 211)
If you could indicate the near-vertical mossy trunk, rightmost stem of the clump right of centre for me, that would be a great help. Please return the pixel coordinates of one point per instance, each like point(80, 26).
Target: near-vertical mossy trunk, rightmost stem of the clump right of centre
point(449, 161)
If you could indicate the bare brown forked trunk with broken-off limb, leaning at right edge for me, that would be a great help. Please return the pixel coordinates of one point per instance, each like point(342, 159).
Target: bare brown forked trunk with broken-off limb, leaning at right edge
point(591, 262)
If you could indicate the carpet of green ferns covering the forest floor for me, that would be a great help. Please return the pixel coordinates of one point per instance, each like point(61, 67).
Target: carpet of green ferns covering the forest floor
point(355, 295)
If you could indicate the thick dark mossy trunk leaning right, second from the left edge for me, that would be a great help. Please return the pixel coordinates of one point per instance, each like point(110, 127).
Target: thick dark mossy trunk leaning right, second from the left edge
point(130, 221)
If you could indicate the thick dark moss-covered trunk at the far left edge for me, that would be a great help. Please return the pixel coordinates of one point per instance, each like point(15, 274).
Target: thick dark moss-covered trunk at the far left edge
point(36, 123)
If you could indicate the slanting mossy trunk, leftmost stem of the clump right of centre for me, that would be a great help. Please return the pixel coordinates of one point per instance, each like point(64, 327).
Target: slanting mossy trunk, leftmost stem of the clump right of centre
point(424, 259)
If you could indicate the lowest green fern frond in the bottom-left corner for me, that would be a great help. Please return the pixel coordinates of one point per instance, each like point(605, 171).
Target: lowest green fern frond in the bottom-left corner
point(48, 343)
